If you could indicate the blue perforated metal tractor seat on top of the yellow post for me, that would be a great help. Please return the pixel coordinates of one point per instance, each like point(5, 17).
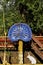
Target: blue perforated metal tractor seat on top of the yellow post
point(20, 31)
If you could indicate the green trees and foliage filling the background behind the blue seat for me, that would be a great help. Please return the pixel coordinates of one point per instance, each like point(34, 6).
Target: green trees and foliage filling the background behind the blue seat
point(25, 11)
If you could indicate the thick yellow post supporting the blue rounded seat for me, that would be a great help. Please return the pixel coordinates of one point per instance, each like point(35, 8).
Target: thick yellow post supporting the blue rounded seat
point(20, 51)
